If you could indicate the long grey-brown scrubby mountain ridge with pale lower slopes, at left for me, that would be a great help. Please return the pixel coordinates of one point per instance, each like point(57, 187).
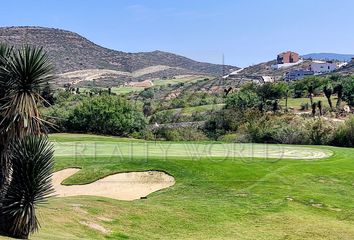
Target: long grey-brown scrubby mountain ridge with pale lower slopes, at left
point(83, 60)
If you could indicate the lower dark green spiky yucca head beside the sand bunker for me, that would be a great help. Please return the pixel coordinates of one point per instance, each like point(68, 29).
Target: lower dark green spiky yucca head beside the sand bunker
point(32, 165)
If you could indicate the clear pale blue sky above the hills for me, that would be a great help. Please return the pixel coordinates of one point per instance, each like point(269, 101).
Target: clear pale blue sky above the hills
point(245, 31)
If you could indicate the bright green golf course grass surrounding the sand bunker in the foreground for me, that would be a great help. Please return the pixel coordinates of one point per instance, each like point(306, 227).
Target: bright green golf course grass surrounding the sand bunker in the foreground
point(214, 197)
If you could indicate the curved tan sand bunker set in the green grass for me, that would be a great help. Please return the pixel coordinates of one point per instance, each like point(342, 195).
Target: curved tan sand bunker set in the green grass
point(121, 186)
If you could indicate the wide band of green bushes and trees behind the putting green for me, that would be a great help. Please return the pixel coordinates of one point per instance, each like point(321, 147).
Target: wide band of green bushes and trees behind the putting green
point(270, 112)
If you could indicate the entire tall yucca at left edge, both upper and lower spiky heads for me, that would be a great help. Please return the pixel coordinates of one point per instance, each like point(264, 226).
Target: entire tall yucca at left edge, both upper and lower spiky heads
point(23, 74)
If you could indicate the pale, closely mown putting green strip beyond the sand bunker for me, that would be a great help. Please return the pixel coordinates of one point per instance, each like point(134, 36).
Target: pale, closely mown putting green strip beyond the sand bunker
point(115, 148)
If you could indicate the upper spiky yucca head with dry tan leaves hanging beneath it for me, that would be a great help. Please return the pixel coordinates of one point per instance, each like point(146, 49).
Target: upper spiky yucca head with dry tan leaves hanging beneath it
point(27, 71)
